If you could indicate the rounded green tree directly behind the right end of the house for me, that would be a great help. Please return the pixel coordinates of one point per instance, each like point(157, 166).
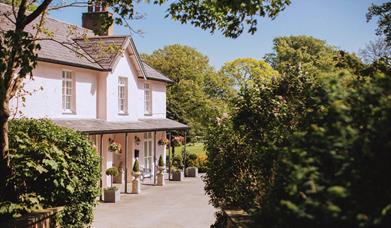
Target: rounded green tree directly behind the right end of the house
point(197, 94)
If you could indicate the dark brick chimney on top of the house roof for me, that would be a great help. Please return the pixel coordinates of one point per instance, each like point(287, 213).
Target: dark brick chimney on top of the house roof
point(93, 19)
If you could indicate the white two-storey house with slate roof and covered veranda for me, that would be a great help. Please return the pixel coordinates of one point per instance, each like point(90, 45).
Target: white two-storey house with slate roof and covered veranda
point(98, 85)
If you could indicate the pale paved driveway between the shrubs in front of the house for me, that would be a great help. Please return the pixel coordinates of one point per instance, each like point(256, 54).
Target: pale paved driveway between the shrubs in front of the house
point(177, 204)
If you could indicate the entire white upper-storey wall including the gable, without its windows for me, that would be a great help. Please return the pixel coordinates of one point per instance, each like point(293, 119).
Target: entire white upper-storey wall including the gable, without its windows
point(96, 94)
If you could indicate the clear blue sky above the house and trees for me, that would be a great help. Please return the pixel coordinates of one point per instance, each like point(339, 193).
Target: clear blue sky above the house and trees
point(341, 23)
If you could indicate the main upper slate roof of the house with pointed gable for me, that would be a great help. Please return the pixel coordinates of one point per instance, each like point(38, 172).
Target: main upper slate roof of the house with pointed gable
point(71, 45)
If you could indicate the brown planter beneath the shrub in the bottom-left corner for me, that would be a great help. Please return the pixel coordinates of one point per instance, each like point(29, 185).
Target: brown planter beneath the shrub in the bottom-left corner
point(40, 218)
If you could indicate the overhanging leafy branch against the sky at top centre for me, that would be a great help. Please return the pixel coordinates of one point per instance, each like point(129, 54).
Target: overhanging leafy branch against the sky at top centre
point(230, 17)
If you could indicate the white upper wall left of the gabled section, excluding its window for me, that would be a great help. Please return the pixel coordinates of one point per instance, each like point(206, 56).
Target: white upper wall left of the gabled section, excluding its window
point(48, 102)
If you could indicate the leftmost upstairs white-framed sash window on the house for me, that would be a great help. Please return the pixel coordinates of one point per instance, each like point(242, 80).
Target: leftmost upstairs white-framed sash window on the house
point(68, 91)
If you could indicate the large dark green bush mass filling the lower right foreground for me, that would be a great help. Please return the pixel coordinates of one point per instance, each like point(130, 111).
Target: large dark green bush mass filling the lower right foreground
point(306, 150)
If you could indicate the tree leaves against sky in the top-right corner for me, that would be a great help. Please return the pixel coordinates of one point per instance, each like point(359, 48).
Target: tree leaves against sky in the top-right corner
point(382, 11)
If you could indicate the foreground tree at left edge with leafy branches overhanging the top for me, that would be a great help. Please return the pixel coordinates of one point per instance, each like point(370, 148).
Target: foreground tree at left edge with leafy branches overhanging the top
point(18, 48)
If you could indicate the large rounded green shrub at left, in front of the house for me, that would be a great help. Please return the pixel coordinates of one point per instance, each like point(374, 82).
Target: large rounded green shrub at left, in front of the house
point(55, 165)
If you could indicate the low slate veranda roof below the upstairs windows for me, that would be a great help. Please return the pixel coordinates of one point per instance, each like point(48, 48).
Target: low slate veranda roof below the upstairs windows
point(95, 126)
